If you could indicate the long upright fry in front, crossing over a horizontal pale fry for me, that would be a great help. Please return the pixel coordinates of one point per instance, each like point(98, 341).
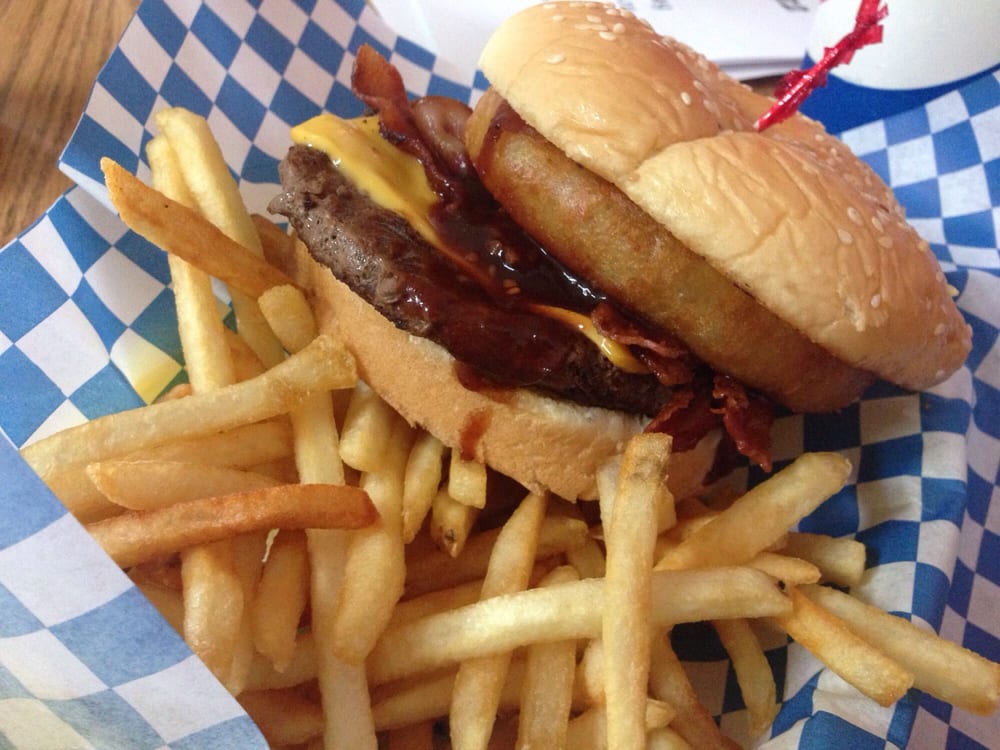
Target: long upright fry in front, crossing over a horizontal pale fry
point(630, 536)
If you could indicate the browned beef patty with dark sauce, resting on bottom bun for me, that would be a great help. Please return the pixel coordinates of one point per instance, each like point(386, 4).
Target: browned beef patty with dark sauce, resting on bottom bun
point(387, 263)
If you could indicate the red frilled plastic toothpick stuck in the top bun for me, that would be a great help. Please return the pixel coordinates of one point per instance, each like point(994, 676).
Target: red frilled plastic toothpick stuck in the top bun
point(795, 86)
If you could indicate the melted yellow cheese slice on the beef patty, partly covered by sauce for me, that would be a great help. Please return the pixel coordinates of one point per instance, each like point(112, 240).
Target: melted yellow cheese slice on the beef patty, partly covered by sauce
point(396, 181)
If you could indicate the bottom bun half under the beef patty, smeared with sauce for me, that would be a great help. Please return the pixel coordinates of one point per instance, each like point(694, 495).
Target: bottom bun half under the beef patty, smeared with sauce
point(541, 442)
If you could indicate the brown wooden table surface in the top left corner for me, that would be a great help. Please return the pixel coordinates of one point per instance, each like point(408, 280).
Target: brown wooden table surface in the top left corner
point(52, 52)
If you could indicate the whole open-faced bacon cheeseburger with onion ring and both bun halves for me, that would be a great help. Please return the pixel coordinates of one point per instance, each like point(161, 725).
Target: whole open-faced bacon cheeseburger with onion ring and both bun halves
point(605, 244)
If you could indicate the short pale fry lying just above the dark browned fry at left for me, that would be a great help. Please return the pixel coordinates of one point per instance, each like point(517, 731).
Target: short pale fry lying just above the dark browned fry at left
point(148, 485)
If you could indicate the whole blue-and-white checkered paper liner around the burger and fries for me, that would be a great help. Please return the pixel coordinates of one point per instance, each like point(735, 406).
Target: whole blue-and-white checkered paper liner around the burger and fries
point(87, 327)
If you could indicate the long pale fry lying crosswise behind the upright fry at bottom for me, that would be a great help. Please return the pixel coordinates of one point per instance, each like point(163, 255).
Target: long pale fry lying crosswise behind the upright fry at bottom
point(569, 611)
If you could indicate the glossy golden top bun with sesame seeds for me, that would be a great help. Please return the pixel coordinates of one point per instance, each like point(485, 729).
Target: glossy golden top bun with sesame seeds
point(789, 214)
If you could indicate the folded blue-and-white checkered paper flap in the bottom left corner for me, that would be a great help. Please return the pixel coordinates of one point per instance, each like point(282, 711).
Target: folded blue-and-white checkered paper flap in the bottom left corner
point(71, 674)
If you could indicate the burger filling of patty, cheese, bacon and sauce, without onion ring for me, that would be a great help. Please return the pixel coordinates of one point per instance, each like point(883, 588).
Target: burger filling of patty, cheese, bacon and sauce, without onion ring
point(392, 205)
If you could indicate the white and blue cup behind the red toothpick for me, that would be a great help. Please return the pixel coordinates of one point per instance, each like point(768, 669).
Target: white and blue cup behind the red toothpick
point(929, 47)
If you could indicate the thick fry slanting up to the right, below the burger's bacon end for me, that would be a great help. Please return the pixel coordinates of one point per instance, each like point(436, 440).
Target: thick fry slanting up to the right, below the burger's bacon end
point(763, 515)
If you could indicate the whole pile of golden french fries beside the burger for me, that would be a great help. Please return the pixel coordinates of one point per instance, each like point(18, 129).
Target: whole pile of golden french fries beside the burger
point(357, 585)
